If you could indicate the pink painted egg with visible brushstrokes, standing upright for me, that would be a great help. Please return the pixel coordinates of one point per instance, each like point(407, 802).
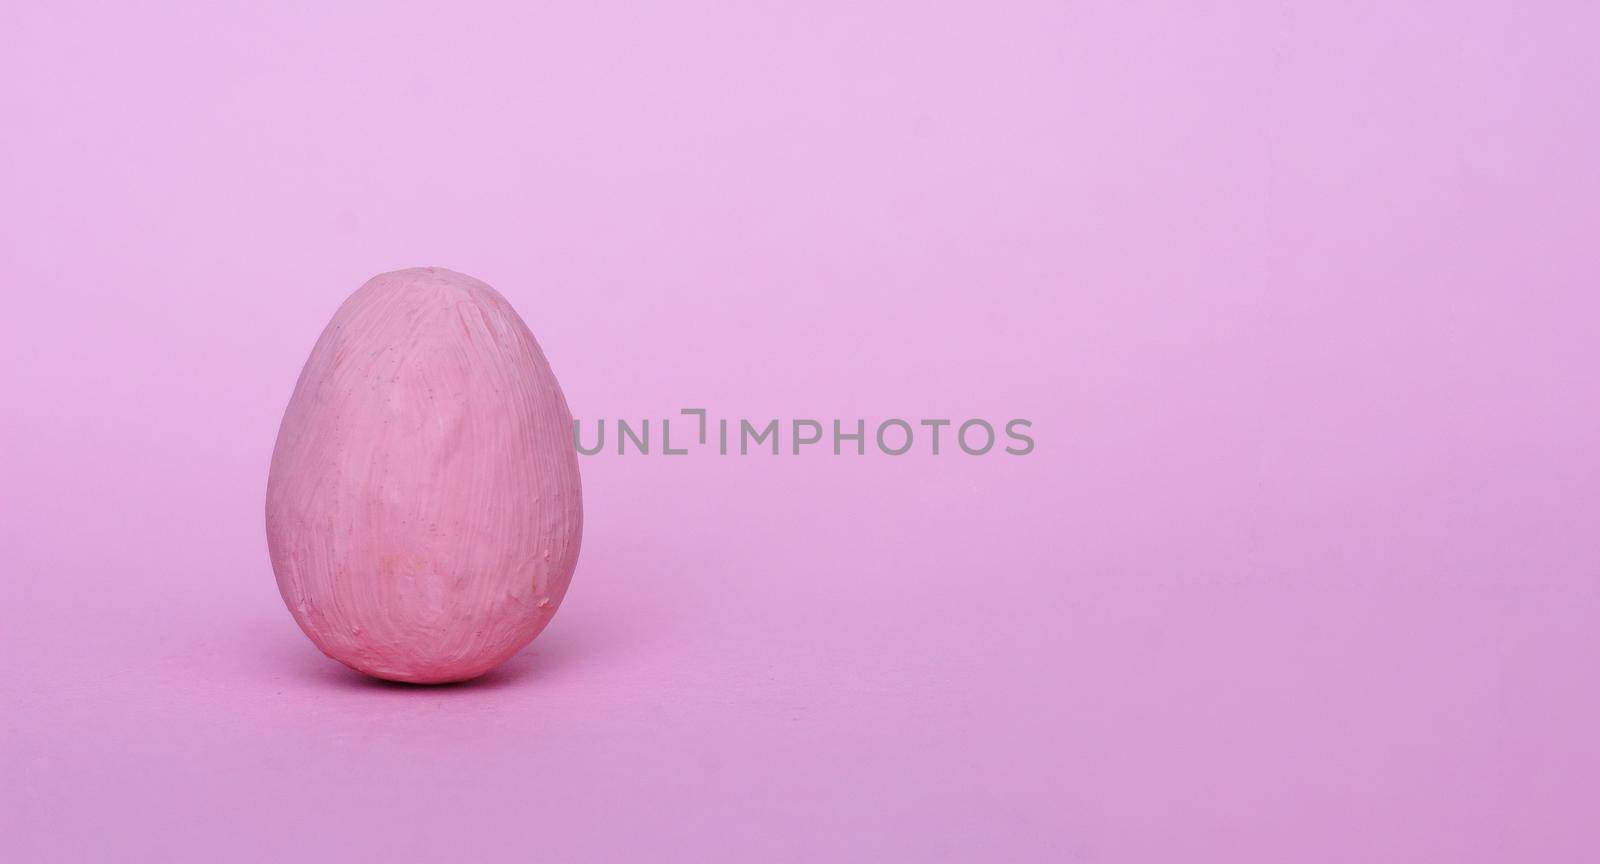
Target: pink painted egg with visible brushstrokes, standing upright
point(425, 510)
